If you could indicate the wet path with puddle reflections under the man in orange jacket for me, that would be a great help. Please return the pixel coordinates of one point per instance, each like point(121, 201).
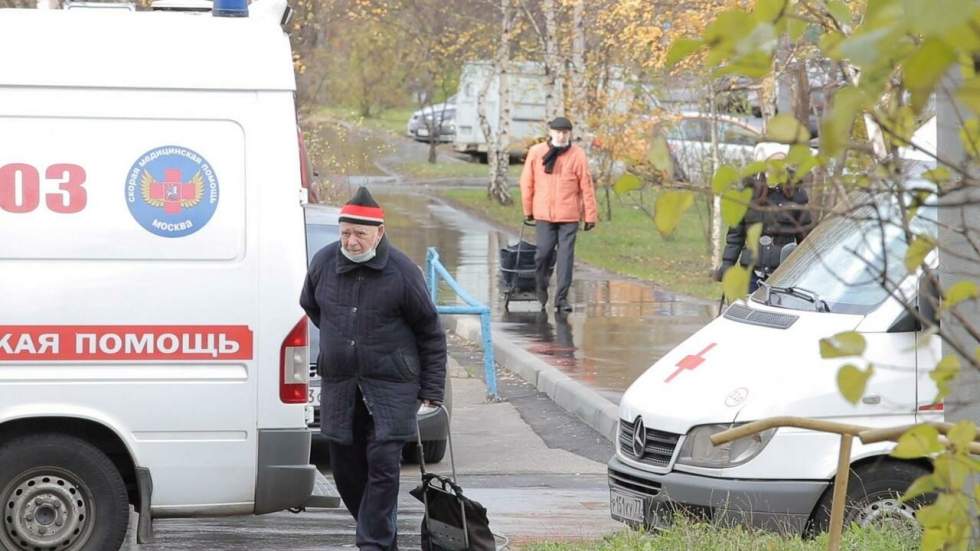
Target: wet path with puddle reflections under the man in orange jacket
point(618, 329)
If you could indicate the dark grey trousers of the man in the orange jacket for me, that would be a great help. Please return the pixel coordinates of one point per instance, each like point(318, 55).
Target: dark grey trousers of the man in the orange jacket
point(548, 237)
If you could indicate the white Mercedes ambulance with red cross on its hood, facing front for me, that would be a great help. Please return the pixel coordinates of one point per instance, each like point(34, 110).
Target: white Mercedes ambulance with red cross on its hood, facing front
point(761, 359)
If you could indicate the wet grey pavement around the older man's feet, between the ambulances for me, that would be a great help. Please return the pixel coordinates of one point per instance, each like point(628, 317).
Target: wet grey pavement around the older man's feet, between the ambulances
point(533, 489)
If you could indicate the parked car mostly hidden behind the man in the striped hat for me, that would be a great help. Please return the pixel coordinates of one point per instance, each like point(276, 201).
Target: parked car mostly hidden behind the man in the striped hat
point(322, 228)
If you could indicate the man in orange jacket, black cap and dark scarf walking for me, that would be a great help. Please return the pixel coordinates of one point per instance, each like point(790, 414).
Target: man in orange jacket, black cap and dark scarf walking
point(557, 193)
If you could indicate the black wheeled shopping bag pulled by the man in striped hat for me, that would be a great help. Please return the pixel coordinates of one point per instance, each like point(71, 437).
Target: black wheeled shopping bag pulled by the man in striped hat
point(451, 521)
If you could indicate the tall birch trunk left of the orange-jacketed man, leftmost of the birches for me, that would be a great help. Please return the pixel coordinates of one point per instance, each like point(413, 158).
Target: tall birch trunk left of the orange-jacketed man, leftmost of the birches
point(498, 144)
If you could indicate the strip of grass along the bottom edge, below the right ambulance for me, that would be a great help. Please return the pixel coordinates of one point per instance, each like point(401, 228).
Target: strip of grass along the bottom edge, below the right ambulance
point(688, 536)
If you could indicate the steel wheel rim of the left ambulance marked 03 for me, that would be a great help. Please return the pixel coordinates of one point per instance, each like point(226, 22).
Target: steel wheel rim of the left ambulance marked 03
point(47, 508)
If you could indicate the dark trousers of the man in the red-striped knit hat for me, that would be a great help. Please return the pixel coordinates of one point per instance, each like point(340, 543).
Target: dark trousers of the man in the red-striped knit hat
point(367, 476)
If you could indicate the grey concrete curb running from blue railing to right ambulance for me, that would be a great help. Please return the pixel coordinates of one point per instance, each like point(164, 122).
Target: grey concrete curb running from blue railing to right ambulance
point(571, 395)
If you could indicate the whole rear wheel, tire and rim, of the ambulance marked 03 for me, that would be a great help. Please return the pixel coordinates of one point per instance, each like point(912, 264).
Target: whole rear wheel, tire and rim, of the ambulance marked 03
point(65, 480)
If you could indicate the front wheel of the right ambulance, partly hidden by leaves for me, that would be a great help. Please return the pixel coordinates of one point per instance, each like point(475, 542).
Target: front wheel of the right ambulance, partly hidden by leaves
point(873, 492)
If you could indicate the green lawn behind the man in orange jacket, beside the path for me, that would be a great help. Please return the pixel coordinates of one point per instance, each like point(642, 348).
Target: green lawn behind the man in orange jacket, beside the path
point(629, 244)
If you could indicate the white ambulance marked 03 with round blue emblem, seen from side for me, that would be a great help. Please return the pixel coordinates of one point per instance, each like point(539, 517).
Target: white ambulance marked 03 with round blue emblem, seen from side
point(152, 349)
